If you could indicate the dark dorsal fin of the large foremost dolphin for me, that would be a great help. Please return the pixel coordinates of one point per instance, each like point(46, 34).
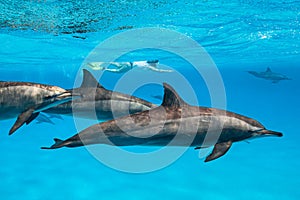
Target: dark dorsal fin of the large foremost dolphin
point(171, 98)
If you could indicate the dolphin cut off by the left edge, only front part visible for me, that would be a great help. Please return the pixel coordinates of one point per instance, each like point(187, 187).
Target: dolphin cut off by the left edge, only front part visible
point(25, 100)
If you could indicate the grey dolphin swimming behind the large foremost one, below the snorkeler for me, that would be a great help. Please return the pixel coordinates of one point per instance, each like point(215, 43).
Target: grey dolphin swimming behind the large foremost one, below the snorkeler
point(95, 99)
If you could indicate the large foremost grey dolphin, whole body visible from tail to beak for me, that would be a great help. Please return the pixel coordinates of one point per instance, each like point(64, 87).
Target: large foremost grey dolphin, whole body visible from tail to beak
point(178, 119)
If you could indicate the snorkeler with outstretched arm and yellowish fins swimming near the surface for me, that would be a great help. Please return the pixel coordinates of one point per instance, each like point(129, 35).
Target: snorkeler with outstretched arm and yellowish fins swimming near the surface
point(121, 67)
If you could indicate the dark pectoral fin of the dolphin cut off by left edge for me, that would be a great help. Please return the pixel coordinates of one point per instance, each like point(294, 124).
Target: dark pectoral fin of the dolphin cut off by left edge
point(25, 117)
